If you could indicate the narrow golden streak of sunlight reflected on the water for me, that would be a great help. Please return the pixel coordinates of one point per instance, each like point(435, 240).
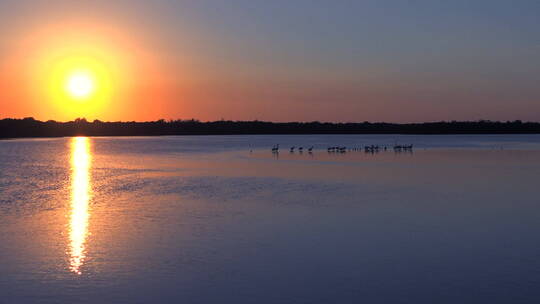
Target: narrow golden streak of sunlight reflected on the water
point(80, 196)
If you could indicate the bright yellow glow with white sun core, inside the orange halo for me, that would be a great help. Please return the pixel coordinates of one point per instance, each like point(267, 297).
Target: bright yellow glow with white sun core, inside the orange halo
point(80, 82)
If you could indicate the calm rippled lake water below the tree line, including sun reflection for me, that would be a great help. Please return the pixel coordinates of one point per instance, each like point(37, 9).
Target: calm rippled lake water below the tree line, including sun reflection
point(203, 220)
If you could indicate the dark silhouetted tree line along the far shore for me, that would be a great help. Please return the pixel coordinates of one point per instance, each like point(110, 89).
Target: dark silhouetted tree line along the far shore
point(29, 127)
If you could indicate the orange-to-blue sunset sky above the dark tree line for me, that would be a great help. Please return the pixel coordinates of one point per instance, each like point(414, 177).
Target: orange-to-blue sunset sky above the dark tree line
point(343, 61)
